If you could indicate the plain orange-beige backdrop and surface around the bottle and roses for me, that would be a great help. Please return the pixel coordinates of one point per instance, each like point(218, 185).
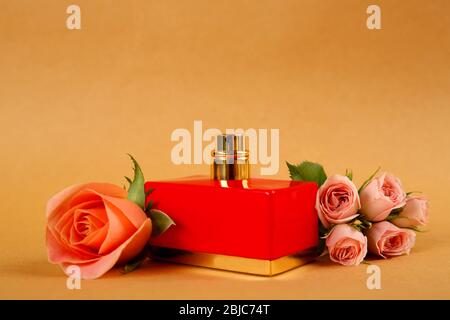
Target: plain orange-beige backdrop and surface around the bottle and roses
point(73, 103)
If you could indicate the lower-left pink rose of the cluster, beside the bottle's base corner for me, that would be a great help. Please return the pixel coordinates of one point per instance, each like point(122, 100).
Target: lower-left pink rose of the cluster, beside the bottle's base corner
point(346, 245)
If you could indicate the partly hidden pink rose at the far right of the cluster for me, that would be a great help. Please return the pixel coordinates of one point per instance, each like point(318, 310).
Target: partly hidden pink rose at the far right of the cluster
point(414, 214)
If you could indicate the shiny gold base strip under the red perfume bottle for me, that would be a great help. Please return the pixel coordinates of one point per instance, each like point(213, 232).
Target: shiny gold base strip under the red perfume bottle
point(232, 263)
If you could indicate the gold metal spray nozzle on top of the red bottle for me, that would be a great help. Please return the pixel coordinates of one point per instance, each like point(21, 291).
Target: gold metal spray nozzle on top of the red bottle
point(231, 159)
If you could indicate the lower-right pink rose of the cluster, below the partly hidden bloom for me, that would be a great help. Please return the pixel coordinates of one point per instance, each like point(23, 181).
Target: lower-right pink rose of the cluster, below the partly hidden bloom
point(387, 240)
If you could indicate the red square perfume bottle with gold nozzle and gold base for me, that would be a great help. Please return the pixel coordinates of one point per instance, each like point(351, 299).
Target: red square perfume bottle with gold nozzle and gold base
point(233, 222)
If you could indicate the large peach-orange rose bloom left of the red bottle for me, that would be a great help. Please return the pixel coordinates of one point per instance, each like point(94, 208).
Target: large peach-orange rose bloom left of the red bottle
point(94, 226)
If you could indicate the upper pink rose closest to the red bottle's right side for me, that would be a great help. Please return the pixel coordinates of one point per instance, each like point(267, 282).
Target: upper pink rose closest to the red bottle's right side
point(337, 201)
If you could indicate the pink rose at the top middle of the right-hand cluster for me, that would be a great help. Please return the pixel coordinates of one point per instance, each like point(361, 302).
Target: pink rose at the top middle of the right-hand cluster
point(382, 195)
